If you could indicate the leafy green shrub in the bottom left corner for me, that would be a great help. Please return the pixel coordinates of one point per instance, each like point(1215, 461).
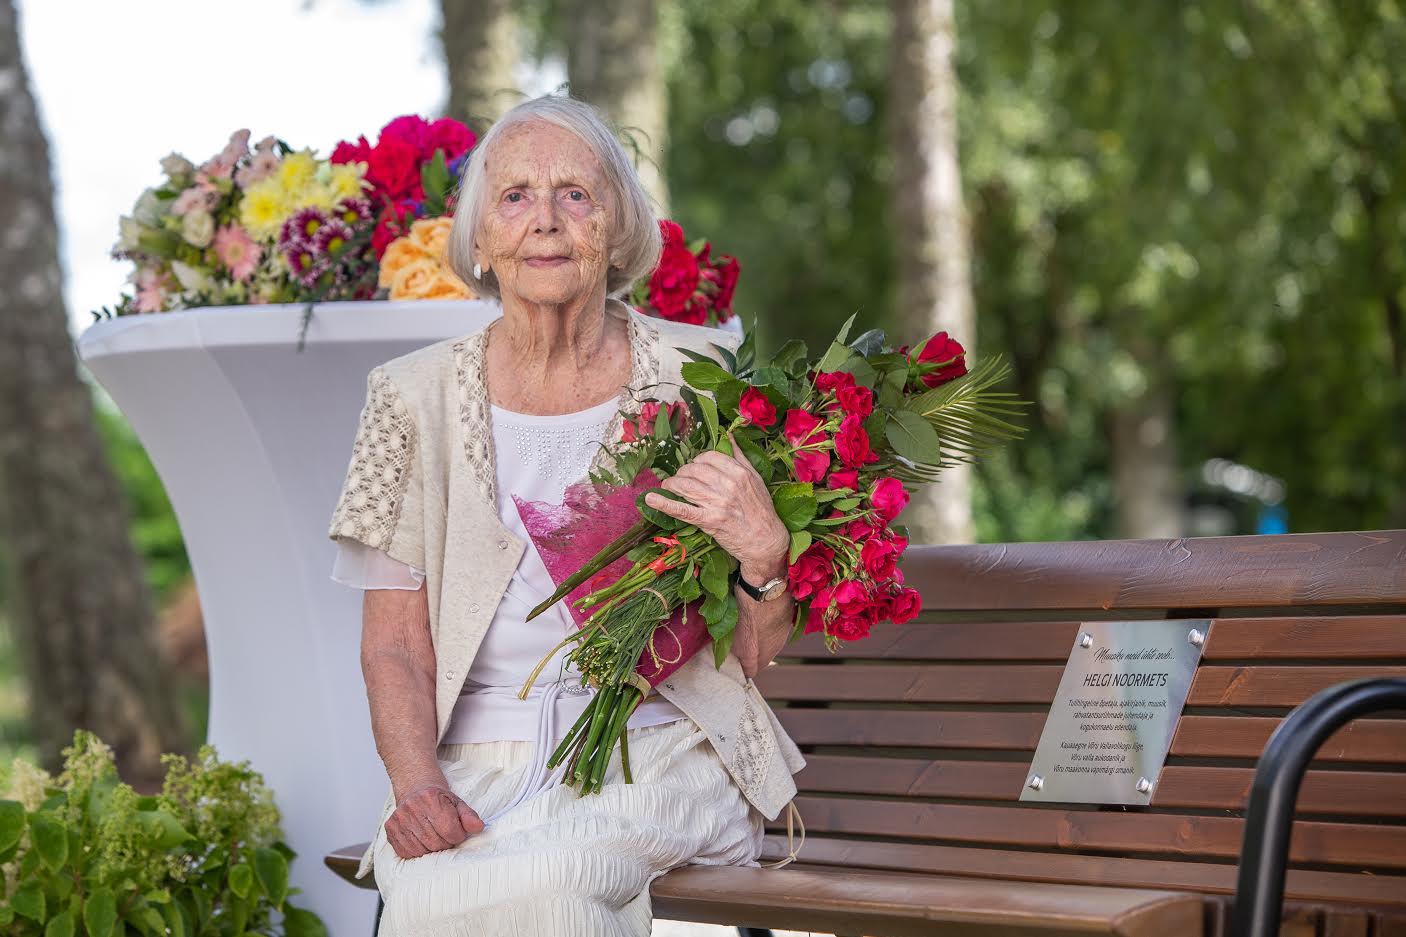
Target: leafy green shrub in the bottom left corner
point(85, 855)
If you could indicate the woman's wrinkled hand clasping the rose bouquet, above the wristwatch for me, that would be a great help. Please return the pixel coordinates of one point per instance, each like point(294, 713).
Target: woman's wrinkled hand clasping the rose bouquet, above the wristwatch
point(732, 506)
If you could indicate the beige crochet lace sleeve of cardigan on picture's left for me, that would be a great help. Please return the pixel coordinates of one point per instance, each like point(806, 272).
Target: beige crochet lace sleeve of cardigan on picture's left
point(382, 502)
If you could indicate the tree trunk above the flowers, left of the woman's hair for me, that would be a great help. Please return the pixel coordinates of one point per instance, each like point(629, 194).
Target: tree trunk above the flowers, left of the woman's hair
point(482, 53)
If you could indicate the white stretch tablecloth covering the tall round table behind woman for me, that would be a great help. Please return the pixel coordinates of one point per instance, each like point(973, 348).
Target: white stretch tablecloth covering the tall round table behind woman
point(252, 441)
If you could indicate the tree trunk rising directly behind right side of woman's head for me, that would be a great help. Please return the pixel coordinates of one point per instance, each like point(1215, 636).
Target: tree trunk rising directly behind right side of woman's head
point(614, 63)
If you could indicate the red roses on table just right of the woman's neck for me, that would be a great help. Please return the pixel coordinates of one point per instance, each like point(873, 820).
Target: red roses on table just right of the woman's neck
point(688, 286)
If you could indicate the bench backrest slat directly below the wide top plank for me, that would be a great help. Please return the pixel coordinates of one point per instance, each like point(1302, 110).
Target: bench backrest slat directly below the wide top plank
point(1329, 638)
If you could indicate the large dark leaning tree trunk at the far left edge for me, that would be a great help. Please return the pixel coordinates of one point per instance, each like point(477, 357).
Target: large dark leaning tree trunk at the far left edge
point(81, 608)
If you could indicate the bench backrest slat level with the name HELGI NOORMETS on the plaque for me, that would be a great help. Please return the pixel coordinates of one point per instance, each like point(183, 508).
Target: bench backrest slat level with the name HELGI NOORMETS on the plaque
point(1037, 684)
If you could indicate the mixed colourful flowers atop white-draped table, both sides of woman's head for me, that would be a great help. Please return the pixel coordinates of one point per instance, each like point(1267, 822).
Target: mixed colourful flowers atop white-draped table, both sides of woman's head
point(272, 224)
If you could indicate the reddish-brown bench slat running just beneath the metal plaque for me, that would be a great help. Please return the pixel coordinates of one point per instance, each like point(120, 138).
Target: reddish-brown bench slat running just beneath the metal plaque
point(1355, 845)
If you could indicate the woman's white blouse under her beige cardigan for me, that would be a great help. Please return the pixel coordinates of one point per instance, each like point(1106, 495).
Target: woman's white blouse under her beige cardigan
point(538, 459)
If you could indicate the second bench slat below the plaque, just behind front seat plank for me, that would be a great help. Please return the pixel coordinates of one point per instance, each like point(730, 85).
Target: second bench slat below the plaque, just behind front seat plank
point(1217, 879)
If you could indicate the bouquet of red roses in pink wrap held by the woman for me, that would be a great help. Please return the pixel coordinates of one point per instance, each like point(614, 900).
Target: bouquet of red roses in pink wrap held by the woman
point(841, 442)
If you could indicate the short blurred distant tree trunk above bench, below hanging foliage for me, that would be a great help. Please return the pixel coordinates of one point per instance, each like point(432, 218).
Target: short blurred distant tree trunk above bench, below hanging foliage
point(1147, 482)
